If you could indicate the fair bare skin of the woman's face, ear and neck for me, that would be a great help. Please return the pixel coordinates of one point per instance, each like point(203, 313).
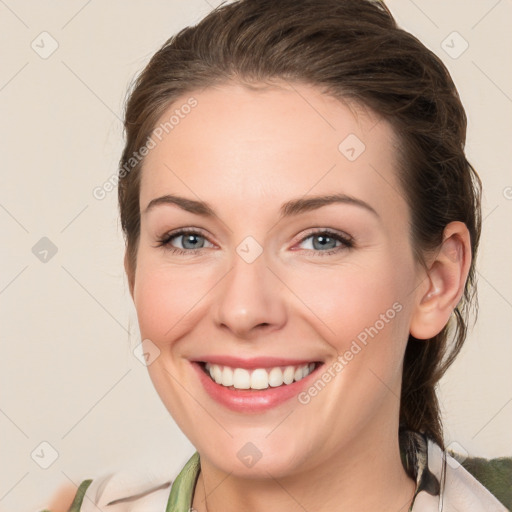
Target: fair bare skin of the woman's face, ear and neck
point(245, 153)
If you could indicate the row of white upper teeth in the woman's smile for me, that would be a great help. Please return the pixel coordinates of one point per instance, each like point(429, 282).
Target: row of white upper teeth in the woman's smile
point(257, 378)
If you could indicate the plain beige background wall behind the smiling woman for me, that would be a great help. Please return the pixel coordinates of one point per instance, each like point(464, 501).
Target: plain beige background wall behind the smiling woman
point(68, 375)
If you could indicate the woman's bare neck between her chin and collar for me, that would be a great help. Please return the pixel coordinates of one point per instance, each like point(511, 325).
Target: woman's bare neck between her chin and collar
point(367, 474)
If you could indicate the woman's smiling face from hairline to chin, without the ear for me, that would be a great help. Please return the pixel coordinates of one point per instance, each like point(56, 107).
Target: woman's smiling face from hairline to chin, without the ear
point(306, 301)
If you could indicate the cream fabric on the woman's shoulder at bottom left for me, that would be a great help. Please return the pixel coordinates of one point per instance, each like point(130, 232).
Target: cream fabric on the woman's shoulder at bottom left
point(127, 490)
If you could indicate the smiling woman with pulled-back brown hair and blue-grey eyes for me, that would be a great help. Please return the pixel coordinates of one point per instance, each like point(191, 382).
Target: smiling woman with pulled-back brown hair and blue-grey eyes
point(301, 225)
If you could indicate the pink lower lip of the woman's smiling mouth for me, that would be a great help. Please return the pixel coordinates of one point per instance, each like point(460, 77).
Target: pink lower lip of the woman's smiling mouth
point(251, 400)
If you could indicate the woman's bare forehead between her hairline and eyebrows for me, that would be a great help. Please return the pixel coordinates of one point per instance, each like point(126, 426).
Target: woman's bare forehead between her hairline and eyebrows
point(268, 144)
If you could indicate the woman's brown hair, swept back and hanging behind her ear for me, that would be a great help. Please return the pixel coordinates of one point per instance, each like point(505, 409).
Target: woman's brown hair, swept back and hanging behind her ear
point(354, 51)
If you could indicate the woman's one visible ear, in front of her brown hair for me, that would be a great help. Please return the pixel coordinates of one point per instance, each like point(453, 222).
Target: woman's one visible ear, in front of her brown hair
point(444, 283)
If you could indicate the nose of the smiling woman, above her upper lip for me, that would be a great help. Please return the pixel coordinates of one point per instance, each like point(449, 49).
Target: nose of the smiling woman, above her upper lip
point(250, 299)
